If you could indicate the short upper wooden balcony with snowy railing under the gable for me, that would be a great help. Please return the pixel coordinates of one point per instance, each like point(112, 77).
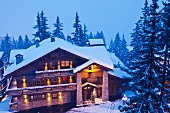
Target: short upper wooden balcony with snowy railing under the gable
point(53, 73)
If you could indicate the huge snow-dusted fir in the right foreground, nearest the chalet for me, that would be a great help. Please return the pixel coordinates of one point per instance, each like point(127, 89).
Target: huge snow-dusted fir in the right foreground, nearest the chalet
point(147, 76)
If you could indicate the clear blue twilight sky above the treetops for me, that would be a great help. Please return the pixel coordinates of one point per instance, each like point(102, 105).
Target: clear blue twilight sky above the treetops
point(17, 17)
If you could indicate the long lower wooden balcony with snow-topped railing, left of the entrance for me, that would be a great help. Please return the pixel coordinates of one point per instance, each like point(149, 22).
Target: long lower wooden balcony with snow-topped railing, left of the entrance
point(42, 89)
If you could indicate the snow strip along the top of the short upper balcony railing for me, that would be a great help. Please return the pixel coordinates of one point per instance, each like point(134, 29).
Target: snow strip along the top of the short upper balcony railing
point(56, 70)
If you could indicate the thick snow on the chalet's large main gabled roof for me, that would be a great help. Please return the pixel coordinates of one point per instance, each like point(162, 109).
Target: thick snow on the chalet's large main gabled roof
point(97, 54)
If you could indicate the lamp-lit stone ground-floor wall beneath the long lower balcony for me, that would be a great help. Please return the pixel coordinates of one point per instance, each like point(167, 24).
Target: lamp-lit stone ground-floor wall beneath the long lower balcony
point(63, 97)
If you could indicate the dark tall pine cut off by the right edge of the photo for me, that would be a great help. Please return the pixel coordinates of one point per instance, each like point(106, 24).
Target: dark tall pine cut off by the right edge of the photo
point(164, 56)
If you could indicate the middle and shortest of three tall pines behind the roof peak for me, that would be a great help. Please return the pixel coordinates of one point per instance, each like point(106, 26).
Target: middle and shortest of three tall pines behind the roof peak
point(58, 29)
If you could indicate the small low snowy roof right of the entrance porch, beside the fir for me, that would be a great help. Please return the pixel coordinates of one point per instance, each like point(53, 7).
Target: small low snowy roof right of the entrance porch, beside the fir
point(119, 73)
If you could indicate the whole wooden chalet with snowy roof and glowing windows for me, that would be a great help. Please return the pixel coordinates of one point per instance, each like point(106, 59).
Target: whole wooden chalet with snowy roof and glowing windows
point(55, 72)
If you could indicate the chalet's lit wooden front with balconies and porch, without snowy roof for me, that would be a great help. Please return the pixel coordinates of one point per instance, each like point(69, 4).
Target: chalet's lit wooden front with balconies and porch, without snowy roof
point(51, 80)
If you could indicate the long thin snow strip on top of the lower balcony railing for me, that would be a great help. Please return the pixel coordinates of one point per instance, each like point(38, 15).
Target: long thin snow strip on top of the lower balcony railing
point(41, 87)
